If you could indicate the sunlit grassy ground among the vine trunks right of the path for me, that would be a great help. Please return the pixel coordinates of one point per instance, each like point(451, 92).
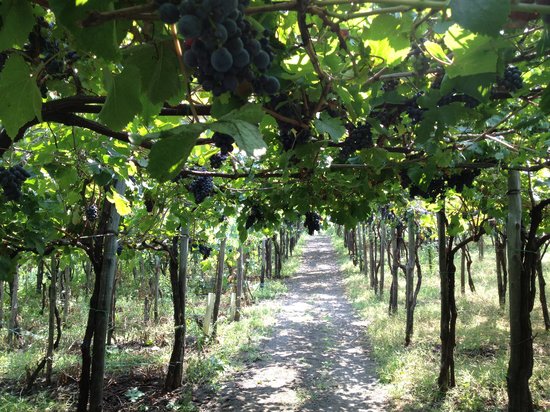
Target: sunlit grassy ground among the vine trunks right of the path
point(481, 354)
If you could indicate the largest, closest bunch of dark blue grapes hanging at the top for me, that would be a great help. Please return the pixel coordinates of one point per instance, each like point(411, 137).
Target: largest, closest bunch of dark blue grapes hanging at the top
point(222, 45)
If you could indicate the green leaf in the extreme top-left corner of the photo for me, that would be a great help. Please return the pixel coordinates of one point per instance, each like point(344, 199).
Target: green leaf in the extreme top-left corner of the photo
point(17, 22)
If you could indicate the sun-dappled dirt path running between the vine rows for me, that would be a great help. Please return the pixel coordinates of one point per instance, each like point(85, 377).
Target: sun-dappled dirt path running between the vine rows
point(317, 358)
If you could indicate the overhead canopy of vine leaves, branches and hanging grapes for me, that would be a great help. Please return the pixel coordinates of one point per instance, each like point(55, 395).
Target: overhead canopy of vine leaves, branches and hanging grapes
point(331, 104)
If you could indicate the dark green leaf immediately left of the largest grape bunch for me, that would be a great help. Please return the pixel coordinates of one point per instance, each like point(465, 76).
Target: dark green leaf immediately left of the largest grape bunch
point(159, 70)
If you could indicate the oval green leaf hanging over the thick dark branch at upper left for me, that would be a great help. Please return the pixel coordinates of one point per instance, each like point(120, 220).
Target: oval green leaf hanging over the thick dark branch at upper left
point(123, 99)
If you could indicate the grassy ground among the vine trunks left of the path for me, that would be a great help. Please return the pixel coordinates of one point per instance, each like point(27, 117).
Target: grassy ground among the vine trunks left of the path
point(140, 348)
